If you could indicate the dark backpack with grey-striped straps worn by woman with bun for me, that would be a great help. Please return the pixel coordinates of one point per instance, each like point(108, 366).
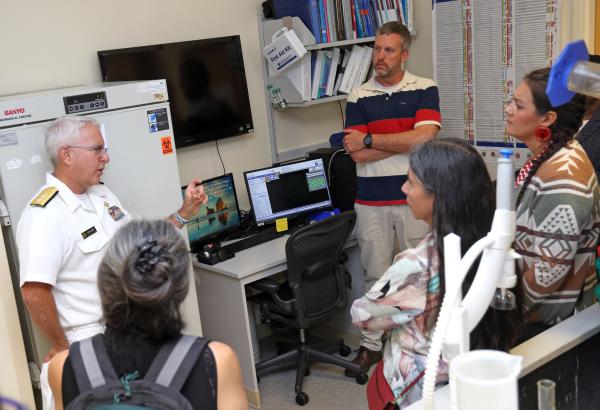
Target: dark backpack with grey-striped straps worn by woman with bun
point(101, 389)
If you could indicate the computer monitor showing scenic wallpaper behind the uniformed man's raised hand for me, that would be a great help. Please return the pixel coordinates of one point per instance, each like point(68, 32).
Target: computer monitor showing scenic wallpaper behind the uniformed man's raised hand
point(219, 216)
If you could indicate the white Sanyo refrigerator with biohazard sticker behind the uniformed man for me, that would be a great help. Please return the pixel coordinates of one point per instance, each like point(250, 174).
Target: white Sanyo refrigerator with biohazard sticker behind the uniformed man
point(142, 172)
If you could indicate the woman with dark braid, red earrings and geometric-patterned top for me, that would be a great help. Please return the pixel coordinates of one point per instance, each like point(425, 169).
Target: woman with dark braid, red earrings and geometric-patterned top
point(558, 214)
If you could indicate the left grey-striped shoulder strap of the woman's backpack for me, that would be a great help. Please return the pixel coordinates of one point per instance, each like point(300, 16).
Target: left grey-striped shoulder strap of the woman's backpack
point(90, 363)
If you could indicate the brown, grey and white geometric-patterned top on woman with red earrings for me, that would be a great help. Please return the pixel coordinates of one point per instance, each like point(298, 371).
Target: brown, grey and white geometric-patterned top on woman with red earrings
point(558, 222)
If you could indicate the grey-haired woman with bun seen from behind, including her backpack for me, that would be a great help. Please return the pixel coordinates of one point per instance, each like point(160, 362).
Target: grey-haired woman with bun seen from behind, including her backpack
point(143, 279)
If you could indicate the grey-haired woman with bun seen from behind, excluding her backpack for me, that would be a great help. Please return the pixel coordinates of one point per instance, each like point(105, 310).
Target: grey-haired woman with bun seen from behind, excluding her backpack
point(143, 278)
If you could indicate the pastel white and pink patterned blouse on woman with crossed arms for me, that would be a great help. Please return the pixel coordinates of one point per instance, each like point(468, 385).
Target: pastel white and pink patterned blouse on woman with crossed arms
point(404, 301)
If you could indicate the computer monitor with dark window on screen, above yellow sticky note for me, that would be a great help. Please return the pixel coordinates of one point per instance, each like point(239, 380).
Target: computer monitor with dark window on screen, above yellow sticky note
point(287, 190)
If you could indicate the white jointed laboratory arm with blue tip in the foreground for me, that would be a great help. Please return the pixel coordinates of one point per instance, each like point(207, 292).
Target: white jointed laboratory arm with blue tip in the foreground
point(457, 318)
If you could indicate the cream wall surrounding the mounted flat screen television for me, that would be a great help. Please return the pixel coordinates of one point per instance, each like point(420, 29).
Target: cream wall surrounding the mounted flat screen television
point(53, 44)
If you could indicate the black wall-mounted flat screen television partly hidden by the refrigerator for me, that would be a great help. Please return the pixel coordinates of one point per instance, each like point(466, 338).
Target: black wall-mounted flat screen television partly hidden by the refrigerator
point(205, 79)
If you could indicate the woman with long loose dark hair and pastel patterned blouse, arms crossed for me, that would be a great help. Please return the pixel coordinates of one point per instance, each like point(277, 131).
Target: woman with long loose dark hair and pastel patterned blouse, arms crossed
point(449, 188)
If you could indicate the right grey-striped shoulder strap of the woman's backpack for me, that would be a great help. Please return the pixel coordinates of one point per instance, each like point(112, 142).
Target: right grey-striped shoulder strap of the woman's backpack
point(175, 360)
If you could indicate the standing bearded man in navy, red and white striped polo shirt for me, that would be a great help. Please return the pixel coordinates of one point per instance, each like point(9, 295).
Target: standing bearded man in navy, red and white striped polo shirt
point(385, 117)
